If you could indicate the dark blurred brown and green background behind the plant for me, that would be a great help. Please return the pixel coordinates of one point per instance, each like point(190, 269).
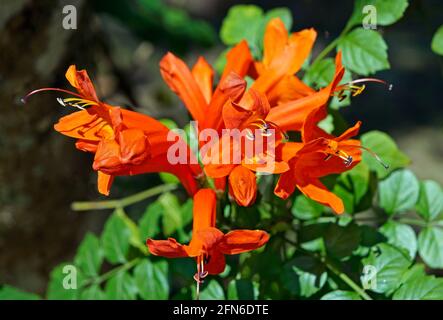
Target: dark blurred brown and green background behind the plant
point(120, 44)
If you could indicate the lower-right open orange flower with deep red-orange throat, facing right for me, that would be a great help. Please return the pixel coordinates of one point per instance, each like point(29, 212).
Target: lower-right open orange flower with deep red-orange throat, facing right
point(320, 154)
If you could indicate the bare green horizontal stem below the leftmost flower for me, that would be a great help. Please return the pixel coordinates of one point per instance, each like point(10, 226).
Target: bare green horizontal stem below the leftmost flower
point(124, 202)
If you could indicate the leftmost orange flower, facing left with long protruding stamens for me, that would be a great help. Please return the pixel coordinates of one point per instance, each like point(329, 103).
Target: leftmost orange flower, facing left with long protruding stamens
point(124, 142)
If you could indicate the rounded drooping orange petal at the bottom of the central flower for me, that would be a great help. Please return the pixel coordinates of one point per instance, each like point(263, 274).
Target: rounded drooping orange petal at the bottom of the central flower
point(243, 185)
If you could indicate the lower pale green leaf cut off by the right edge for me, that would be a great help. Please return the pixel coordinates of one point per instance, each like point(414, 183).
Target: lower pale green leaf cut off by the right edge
point(430, 246)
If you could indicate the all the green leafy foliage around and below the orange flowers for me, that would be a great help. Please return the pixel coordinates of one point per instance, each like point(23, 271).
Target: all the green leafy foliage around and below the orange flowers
point(392, 219)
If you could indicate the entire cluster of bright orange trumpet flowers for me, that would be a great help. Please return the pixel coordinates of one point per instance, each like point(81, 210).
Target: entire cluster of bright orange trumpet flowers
point(263, 111)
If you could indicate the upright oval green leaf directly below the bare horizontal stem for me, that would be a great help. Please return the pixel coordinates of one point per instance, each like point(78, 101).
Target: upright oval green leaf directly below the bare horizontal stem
point(115, 239)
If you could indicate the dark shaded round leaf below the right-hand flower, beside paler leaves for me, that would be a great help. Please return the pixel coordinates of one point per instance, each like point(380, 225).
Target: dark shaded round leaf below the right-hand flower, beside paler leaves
point(342, 241)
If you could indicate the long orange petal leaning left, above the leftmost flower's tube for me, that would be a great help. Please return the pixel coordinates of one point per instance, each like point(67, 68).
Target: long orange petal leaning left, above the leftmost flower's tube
point(179, 78)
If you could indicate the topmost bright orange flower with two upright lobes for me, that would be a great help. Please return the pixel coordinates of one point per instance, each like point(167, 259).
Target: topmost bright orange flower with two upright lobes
point(283, 56)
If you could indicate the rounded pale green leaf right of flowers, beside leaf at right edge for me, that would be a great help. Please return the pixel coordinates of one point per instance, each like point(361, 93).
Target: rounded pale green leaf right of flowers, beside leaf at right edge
point(399, 192)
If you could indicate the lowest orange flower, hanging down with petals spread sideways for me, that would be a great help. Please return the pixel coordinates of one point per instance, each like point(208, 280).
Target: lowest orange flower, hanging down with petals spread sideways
point(208, 244)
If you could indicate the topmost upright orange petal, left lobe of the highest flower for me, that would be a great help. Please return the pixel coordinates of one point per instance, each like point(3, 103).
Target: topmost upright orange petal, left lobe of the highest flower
point(275, 39)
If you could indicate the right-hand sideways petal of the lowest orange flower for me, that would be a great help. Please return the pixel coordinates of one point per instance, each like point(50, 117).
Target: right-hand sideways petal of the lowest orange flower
point(239, 241)
